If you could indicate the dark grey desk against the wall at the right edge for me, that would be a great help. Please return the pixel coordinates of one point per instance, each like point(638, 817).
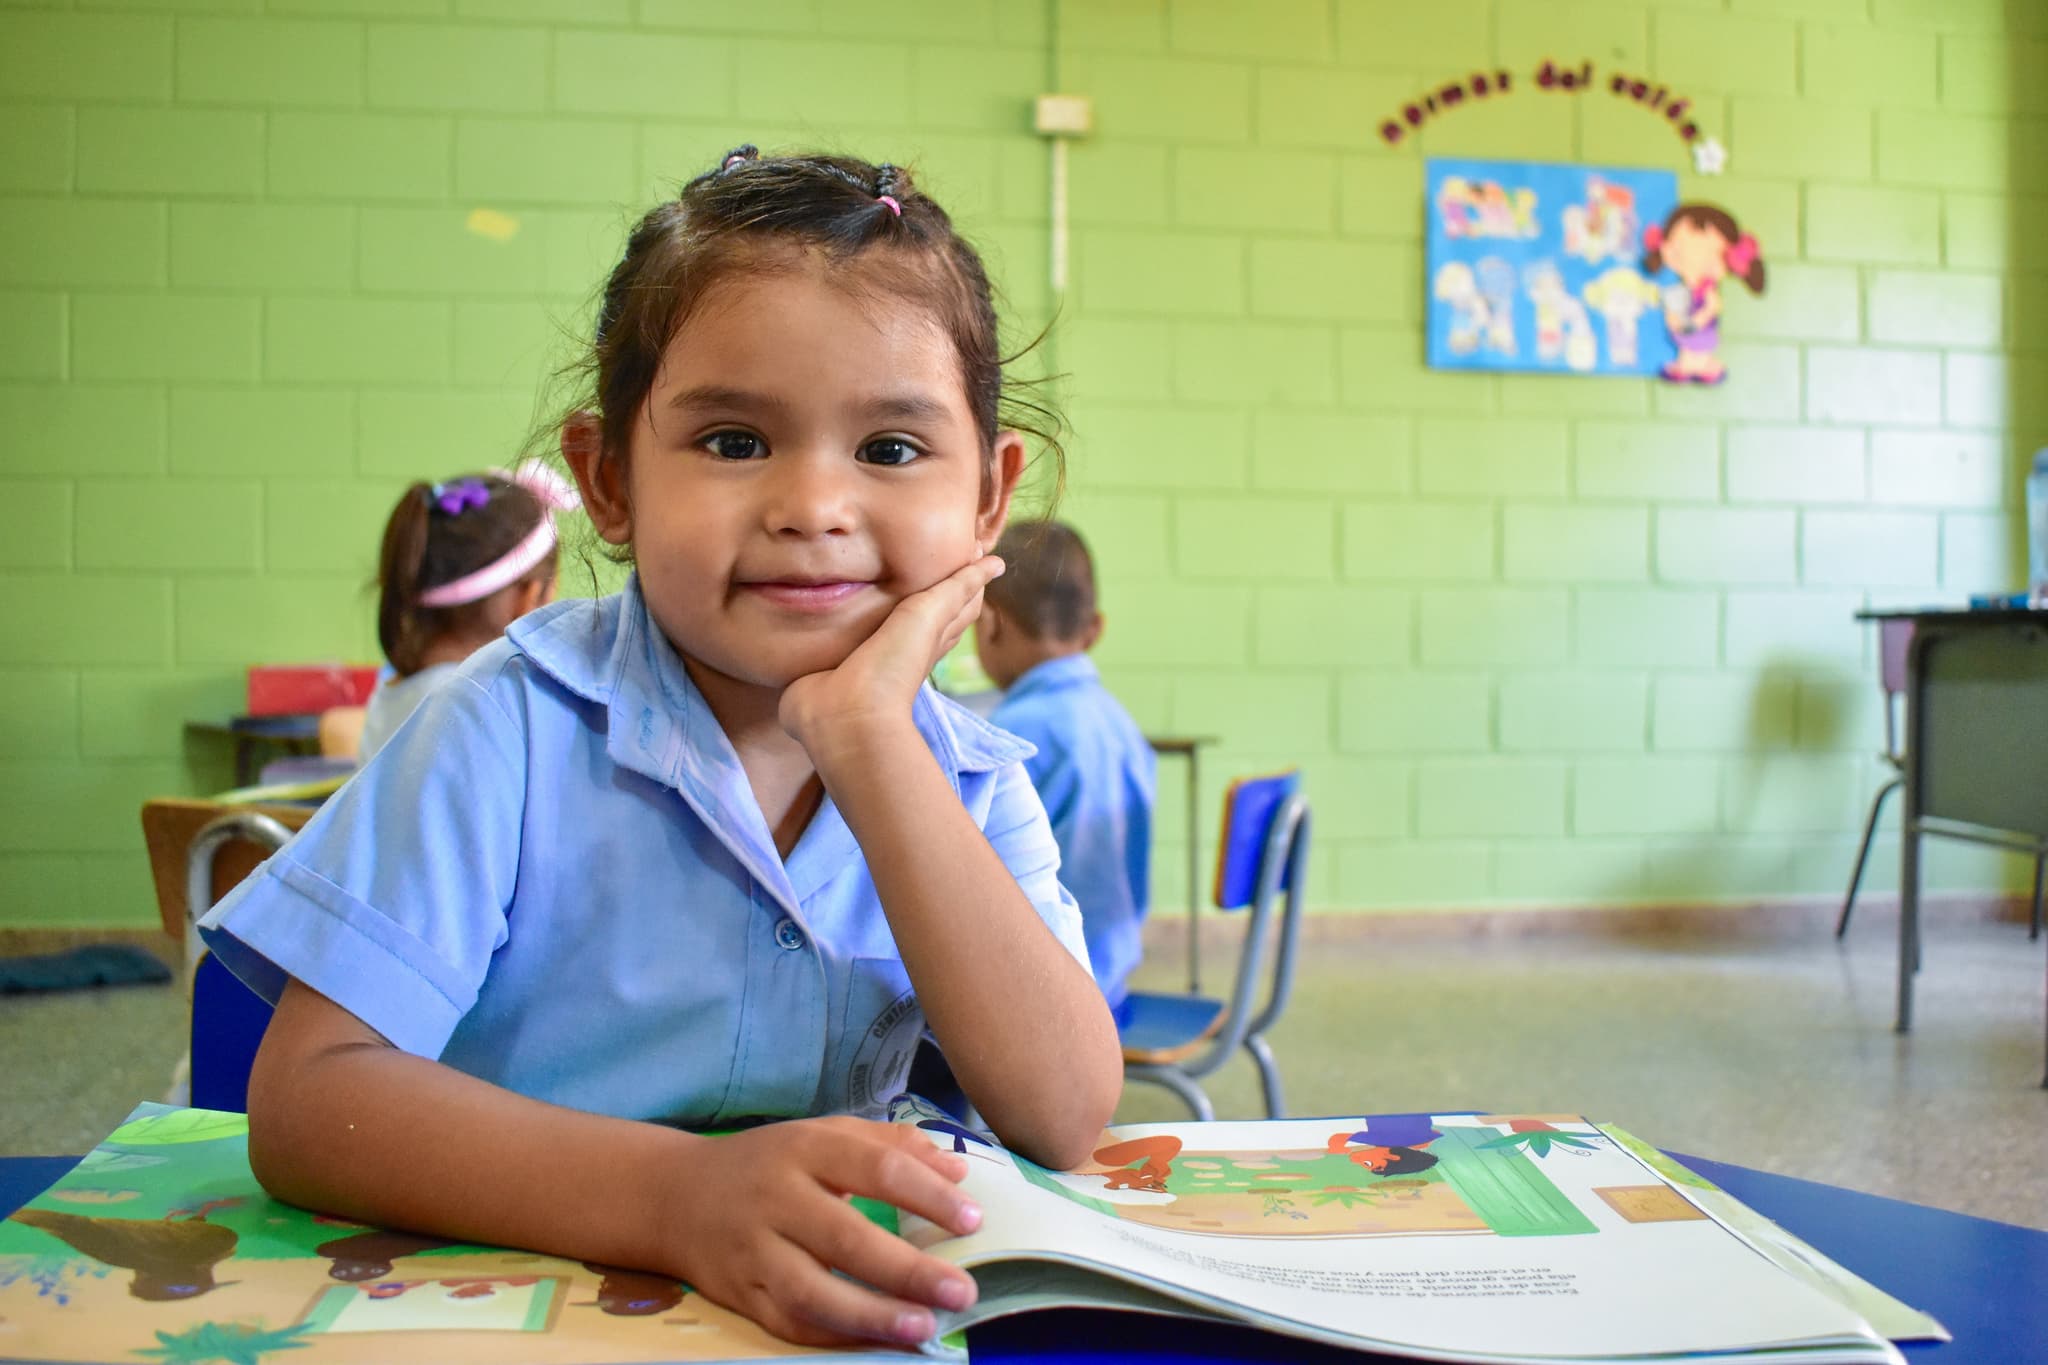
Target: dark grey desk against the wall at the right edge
point(1975, 752)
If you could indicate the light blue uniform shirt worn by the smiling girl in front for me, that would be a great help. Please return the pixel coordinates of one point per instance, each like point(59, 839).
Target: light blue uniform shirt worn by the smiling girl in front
point(556, 879)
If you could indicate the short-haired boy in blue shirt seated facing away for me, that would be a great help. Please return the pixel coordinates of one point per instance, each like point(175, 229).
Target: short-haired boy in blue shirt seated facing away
point(1095, 770)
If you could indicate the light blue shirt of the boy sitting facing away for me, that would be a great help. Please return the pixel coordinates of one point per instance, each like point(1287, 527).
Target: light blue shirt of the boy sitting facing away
point(1097, 777)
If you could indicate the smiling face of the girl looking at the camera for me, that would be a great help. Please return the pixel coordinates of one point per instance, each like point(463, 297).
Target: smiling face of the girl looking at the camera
point(806, 459)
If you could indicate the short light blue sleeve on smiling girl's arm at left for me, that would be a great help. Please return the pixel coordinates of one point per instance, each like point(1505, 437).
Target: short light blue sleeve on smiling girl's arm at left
point(396, 895)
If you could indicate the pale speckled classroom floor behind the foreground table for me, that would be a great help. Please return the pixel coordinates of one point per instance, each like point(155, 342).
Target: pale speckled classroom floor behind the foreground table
point(1766, 1049)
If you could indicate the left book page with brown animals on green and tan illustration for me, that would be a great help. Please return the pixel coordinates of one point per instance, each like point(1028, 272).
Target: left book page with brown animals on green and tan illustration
point(163, 1247)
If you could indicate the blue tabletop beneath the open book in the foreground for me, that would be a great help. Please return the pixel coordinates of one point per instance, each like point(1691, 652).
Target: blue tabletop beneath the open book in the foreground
point(1988, 1282)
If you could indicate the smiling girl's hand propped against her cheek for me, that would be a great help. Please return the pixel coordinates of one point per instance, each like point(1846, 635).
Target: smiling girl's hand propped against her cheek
point(876, 685)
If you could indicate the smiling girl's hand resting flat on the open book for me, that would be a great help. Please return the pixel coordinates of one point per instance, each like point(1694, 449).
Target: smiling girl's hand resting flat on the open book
point(761, 1223)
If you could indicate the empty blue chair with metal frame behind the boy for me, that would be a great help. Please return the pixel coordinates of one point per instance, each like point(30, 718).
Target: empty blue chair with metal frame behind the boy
point(1175, 1041)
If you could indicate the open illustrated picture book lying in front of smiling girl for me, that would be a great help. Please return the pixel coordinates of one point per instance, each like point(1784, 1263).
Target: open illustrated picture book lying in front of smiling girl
point(1443, 1237)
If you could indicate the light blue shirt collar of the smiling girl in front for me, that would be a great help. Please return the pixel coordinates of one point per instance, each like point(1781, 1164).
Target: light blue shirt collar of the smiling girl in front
point(611, 654)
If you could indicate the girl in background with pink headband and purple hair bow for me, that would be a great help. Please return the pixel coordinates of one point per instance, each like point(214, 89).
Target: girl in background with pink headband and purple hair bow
point(460, 564)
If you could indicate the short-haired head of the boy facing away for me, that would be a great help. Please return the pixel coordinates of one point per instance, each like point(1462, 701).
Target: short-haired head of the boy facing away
point(1043, 607)
